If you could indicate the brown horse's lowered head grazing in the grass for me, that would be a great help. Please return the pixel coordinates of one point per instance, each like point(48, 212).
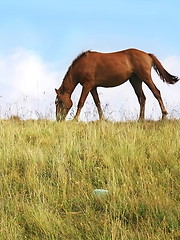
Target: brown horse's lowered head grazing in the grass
point(63, 104)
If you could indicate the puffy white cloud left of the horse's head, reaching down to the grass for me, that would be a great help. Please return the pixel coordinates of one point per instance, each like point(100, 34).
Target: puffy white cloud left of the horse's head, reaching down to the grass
point(27, 84)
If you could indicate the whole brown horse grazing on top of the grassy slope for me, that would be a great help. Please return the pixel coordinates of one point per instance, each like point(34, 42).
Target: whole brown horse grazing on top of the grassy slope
point(94, 69)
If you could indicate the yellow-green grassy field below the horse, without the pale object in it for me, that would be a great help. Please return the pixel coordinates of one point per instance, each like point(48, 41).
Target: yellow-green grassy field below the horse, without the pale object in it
point(48, 172)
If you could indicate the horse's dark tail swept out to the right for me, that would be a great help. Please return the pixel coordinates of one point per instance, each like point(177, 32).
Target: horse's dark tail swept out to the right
point(164, 75)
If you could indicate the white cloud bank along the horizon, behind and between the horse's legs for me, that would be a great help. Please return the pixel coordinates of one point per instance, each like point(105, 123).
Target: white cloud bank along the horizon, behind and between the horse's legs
point(27, 88)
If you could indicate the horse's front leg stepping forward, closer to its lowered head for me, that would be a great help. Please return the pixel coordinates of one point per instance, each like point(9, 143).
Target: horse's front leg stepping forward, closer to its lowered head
point(85, 91)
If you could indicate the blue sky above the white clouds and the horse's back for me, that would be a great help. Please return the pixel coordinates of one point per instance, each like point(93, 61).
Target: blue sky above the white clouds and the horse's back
point(54, 28)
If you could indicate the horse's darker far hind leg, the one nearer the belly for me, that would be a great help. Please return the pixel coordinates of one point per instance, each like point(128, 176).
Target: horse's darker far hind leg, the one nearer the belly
point(137, 85)
